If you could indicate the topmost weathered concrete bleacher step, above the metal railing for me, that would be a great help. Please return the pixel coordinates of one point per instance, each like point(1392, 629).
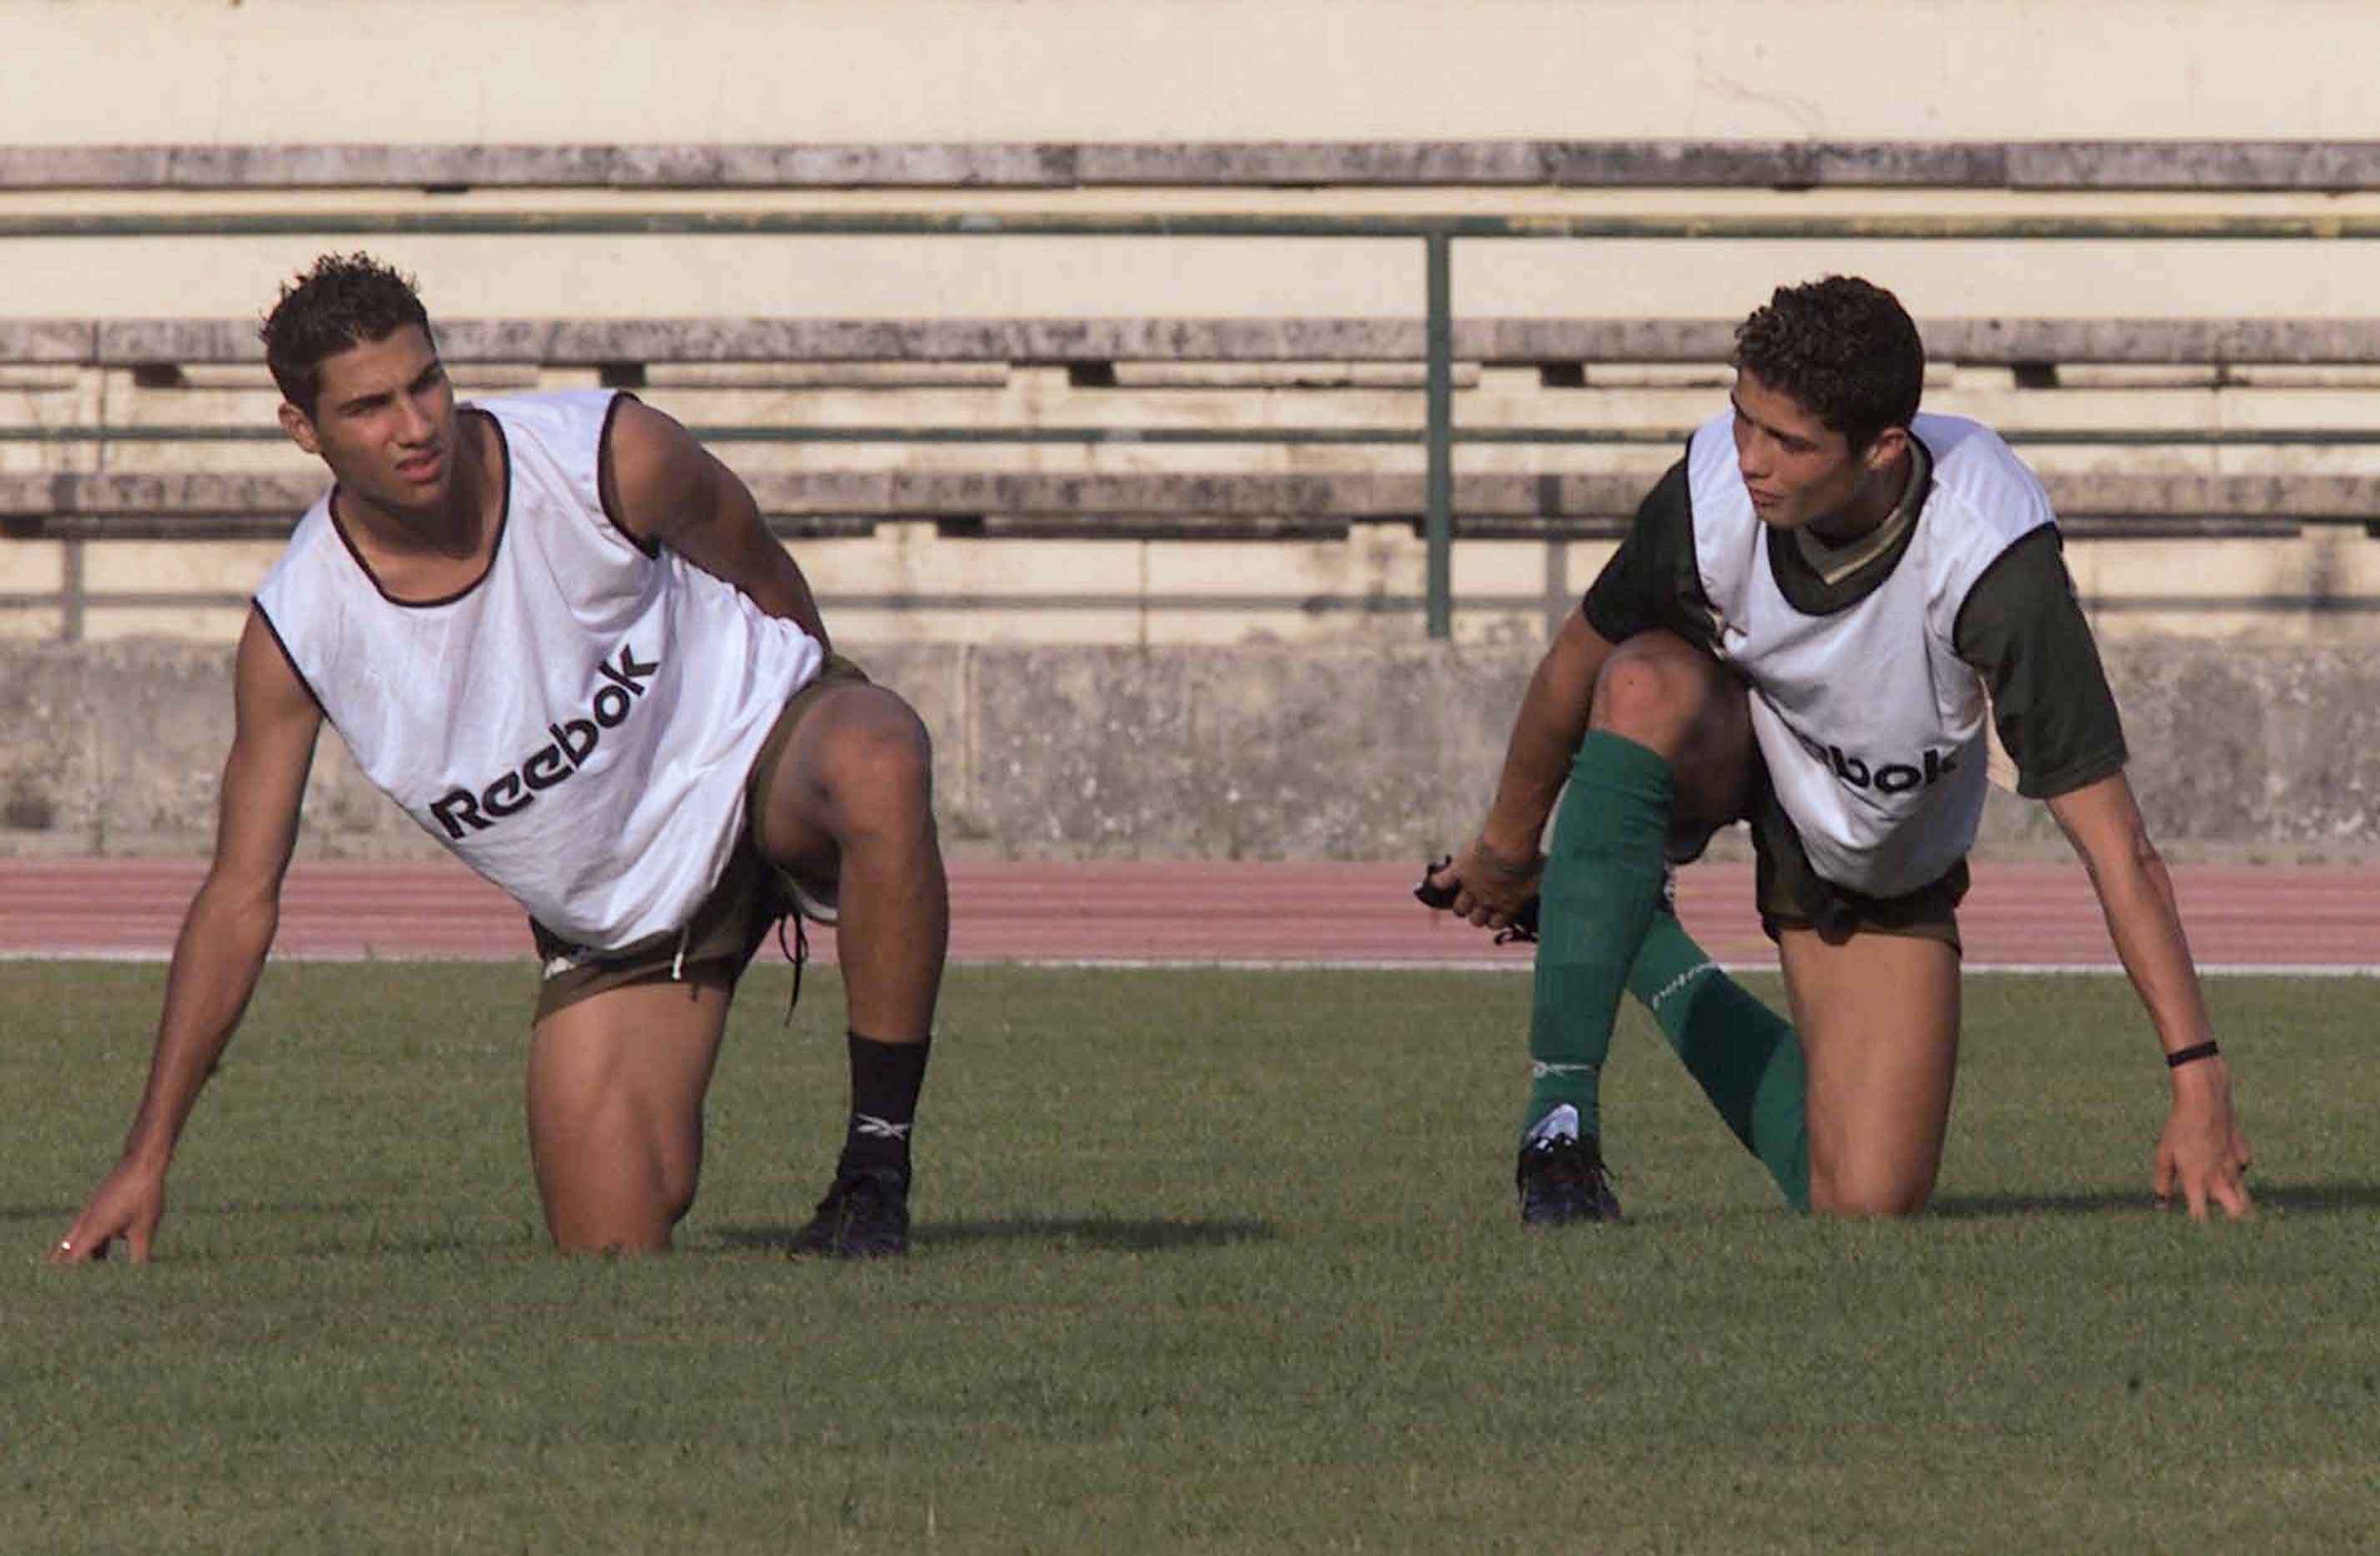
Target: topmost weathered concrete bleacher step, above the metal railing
point(1058, 165)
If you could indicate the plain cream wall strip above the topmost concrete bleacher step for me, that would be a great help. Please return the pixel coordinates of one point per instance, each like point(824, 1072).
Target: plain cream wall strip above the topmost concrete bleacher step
point(1179, 70)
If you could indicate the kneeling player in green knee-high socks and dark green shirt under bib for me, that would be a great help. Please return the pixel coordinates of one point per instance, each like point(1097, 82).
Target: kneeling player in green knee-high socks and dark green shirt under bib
point(1808, 627)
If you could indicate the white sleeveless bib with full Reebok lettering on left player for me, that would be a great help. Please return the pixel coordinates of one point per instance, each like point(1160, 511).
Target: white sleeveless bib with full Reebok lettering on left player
point(580, 724)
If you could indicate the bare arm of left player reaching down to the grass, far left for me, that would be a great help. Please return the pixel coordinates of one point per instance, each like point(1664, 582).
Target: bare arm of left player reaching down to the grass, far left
point(223, 941)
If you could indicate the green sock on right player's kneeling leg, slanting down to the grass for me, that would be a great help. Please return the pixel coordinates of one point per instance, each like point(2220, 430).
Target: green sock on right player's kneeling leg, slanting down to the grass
point(1743, 1055)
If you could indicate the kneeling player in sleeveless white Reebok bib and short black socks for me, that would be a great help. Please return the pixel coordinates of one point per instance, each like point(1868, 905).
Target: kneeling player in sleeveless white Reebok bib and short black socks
point(558, 634)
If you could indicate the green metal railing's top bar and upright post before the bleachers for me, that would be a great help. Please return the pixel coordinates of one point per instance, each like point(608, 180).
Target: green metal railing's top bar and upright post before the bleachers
point(1434, 232)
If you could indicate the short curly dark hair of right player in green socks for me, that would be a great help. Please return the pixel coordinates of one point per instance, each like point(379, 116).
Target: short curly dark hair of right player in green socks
point(1843, 349)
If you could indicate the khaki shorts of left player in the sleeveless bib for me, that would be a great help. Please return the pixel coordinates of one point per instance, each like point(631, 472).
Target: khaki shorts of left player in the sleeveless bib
point(729, 927)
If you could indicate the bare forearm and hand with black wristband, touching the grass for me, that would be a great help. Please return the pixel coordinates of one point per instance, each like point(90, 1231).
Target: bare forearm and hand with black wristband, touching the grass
point(2203, 1148)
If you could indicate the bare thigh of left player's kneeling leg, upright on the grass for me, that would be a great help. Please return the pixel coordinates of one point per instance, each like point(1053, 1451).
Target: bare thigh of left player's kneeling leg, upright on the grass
point(615, 1110)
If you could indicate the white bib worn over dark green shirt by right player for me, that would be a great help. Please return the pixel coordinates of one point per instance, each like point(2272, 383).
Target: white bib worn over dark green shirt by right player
point(1869, 722)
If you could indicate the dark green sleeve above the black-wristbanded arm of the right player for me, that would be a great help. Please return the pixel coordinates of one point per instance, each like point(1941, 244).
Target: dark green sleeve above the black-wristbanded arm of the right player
point(2024, 632)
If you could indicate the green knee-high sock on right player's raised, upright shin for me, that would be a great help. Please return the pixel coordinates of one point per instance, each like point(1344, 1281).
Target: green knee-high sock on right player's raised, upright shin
point(1603, 884)
